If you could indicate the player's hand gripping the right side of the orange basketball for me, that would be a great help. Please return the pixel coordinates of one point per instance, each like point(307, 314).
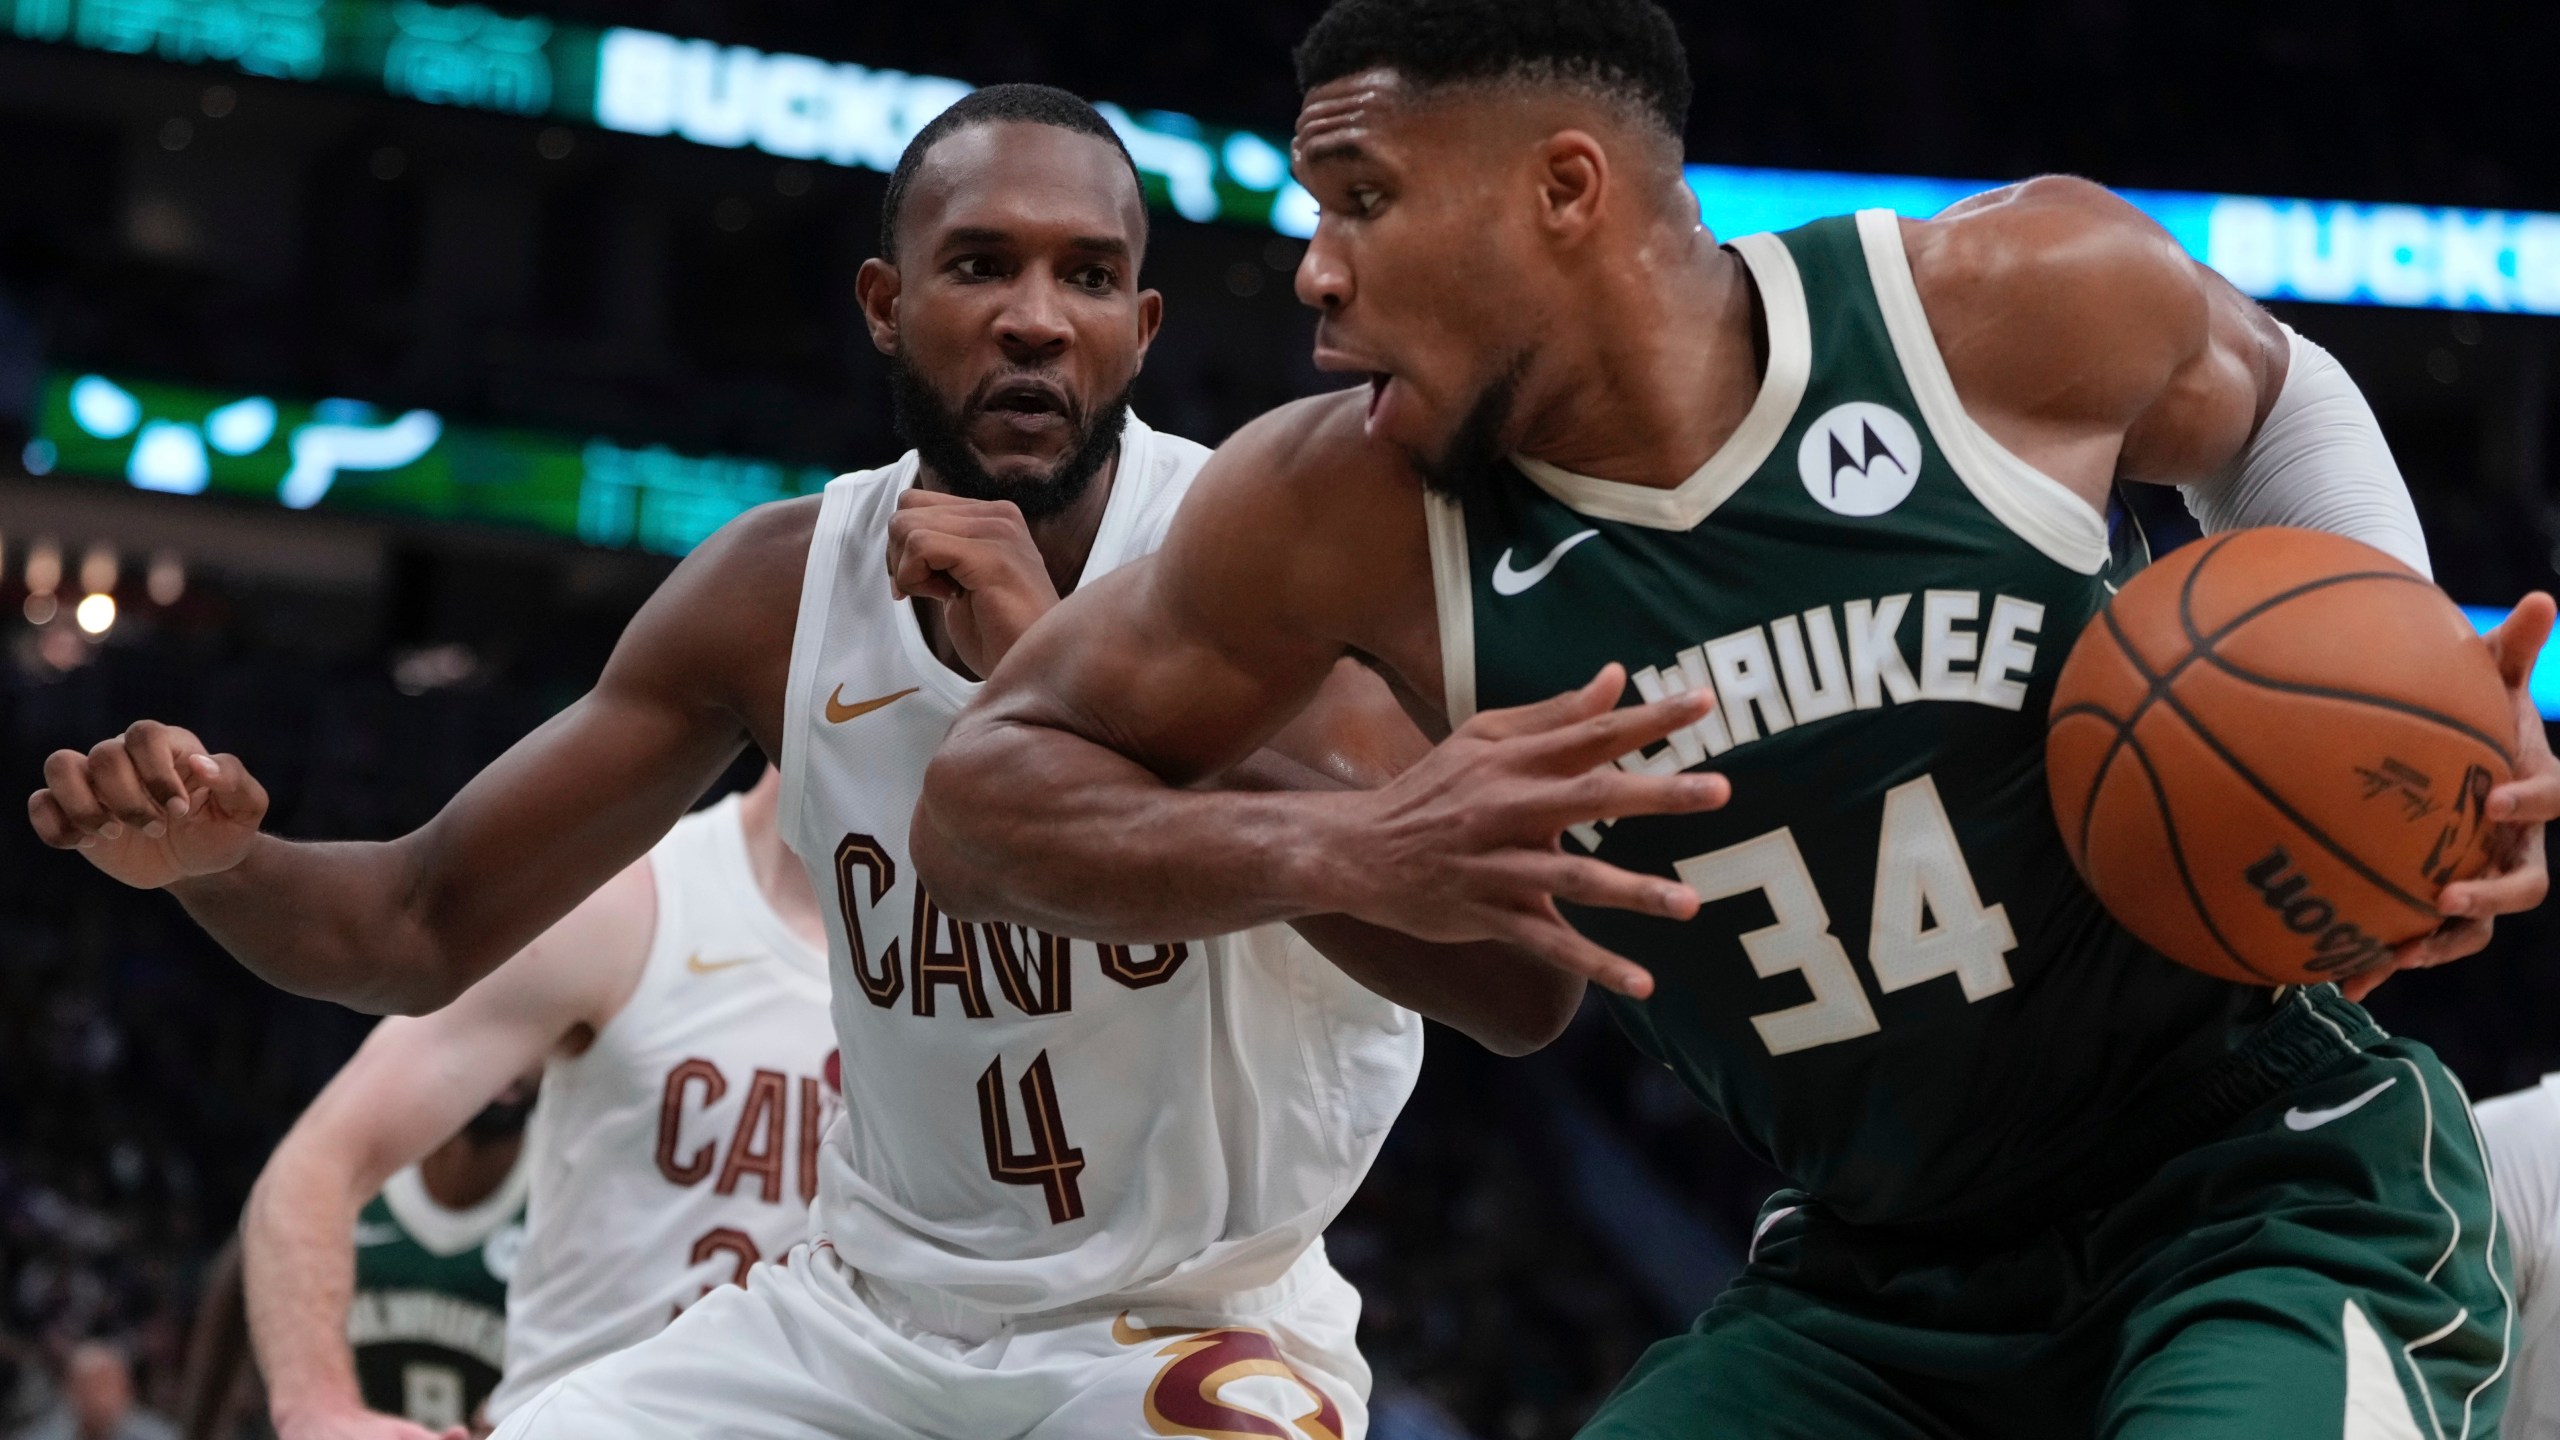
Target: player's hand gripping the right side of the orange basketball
point(2518, 811)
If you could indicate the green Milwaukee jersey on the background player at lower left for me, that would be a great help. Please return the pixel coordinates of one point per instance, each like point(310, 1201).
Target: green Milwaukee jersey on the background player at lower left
point(429, 1321)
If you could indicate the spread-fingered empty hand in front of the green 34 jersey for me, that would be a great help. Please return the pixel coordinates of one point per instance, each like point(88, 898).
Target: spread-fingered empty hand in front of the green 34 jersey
point(1468, 844)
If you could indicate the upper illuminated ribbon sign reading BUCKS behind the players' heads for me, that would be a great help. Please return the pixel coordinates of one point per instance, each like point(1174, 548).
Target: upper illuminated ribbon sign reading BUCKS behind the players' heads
point(846, 114)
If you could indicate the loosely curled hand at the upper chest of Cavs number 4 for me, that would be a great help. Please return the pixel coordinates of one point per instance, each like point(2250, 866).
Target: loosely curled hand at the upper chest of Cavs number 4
point(977, 557)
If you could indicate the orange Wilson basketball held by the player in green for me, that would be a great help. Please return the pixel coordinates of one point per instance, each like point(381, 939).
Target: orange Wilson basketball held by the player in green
point(2275, 749)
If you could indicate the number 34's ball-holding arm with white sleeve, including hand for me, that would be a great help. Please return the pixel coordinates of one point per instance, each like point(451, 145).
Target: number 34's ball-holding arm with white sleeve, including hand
point(2095, 350)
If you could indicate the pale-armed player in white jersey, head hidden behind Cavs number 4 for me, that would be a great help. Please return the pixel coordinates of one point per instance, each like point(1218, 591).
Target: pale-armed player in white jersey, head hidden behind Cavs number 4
point(680, 1019)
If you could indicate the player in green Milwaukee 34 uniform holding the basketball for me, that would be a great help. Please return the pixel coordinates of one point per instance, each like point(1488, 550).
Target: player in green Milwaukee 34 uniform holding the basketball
point(1847, 486)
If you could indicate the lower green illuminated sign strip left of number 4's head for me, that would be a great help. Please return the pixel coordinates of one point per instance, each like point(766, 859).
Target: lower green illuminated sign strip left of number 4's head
point(355, 457)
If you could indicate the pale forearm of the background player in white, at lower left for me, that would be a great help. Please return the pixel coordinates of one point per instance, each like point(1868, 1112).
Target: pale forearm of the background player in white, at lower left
point(301, 1272)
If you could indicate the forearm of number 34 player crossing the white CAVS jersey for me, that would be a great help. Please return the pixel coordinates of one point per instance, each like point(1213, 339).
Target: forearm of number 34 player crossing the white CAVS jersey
point(1038, 826)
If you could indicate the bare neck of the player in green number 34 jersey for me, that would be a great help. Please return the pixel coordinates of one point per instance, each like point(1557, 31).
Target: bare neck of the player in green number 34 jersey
point(1658, 373)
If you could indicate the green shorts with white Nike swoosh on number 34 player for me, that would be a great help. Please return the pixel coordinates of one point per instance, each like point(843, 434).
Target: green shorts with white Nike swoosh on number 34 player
point(2328, 1264)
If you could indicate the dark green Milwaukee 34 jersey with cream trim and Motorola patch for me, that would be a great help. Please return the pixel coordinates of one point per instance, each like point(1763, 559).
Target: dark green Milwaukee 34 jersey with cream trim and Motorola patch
point(1898, 990)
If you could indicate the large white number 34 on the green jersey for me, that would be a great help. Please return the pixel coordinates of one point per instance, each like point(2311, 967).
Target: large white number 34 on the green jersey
point(1921, 878)
